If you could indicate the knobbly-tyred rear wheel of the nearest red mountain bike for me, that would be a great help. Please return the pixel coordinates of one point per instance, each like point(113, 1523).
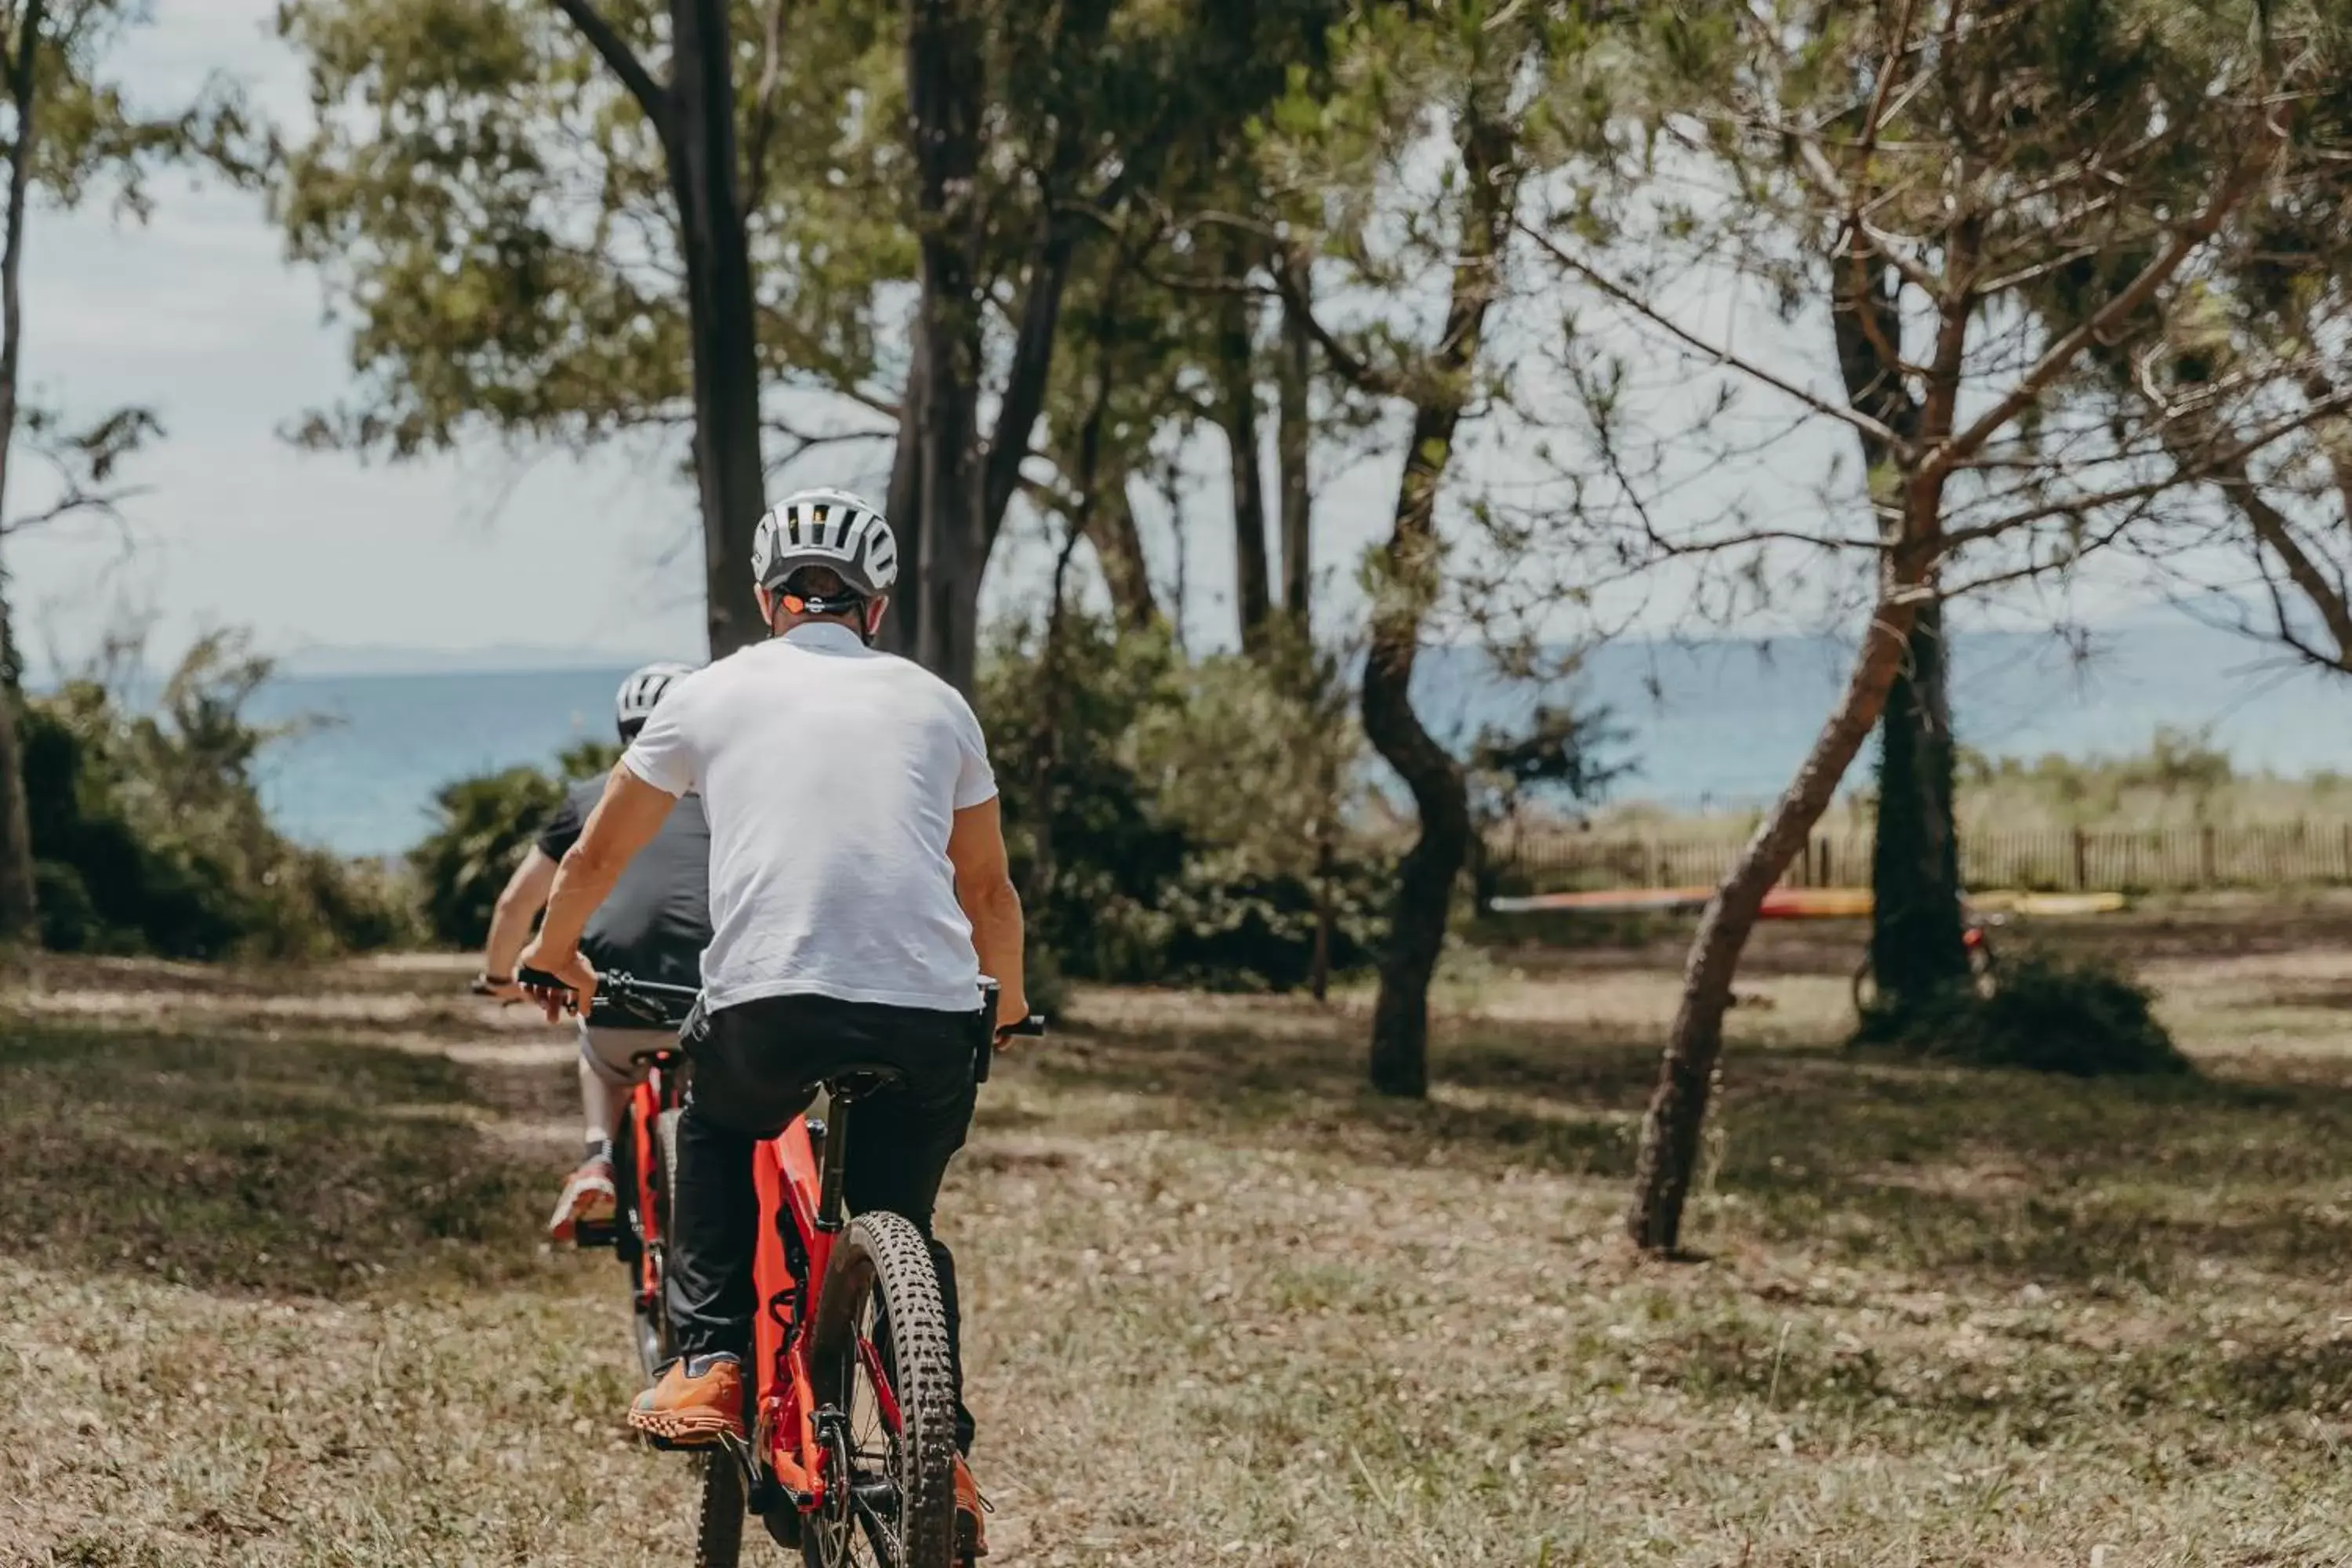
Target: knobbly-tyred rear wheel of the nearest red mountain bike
point(881, 1362)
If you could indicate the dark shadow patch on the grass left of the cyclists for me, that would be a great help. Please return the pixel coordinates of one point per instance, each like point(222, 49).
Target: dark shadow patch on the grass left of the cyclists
point(253, 1165)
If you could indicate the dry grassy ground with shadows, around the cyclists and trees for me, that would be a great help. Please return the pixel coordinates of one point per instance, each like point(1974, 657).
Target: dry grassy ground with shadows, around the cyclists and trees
point(272, 1289)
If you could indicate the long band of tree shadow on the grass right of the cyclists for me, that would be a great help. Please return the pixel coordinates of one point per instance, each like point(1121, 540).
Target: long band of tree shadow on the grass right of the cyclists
point(1982, 1177)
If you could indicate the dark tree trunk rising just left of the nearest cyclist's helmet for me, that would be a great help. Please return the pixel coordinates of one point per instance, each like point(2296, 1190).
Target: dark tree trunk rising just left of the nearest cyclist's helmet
point(723, 319)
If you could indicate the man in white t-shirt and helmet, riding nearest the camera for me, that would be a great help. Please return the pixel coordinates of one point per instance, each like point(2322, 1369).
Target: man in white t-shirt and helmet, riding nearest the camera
point(857, 894)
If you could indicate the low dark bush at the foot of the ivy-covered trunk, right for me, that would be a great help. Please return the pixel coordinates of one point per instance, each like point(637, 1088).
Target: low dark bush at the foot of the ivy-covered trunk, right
point(2050, 1014)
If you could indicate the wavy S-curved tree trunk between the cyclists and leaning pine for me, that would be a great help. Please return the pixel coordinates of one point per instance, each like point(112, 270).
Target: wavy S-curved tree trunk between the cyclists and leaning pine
point(1410, 565)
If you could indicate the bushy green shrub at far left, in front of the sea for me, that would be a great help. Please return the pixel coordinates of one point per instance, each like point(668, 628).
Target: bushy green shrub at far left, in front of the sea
point(152, 838)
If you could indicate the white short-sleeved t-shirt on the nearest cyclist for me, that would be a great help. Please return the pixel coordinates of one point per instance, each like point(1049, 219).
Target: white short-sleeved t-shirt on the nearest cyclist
point(831, 777)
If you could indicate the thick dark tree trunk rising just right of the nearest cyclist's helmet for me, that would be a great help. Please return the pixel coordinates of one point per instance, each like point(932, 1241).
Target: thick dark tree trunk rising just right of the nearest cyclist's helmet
point(944, 114)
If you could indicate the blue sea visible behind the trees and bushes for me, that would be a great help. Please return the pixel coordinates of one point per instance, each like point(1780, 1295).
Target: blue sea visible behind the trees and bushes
point(1702, 725)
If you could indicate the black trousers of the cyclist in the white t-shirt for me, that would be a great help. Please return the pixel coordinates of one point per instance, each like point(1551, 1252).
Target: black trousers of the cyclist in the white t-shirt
point(759, 1066)
